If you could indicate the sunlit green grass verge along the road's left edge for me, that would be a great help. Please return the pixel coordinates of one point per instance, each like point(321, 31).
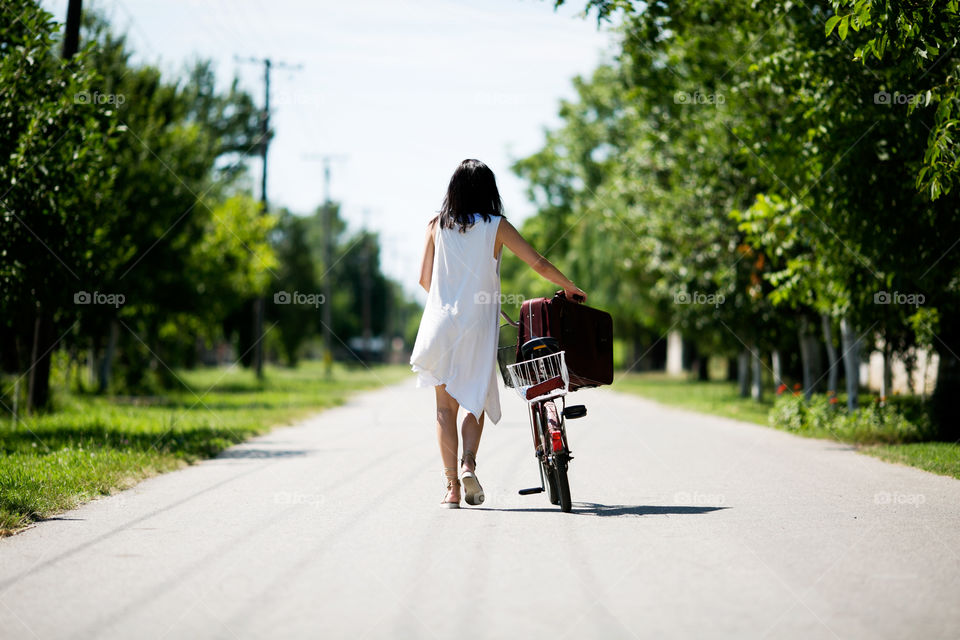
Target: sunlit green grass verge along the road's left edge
point(90, 446)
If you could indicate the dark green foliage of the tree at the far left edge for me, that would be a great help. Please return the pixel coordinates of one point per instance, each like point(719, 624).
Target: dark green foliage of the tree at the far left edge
point(54, 169)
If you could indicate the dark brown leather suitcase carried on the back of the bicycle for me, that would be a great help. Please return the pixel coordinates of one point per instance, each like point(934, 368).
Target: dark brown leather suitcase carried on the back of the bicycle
point(584, 333)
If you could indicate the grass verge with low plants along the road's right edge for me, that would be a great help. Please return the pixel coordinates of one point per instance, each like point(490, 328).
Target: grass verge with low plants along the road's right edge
point(895, 434)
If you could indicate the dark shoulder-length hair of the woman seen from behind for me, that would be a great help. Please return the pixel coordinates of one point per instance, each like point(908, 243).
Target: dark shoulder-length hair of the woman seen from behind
point(472, 189)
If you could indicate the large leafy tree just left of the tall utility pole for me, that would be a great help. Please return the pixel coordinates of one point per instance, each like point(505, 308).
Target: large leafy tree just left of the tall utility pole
point(178, 153)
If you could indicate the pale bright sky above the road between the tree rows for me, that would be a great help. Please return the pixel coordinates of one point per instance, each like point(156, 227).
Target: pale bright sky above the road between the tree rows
point(399, 91)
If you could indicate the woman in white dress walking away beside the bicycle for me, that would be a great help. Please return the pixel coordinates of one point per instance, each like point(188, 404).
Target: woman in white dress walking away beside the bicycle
point(456, 347)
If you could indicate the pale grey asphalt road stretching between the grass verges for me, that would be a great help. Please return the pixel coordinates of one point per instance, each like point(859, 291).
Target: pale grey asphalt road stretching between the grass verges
point(684, 526)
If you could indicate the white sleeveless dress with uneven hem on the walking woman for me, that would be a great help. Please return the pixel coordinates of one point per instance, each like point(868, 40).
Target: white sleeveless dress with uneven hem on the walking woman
point(457, 341)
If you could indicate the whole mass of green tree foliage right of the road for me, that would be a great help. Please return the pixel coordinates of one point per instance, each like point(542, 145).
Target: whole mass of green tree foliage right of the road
point(738, 149)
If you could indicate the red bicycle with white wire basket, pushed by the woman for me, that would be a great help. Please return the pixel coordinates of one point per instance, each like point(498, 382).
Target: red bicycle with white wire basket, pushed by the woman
point(541, 378)
